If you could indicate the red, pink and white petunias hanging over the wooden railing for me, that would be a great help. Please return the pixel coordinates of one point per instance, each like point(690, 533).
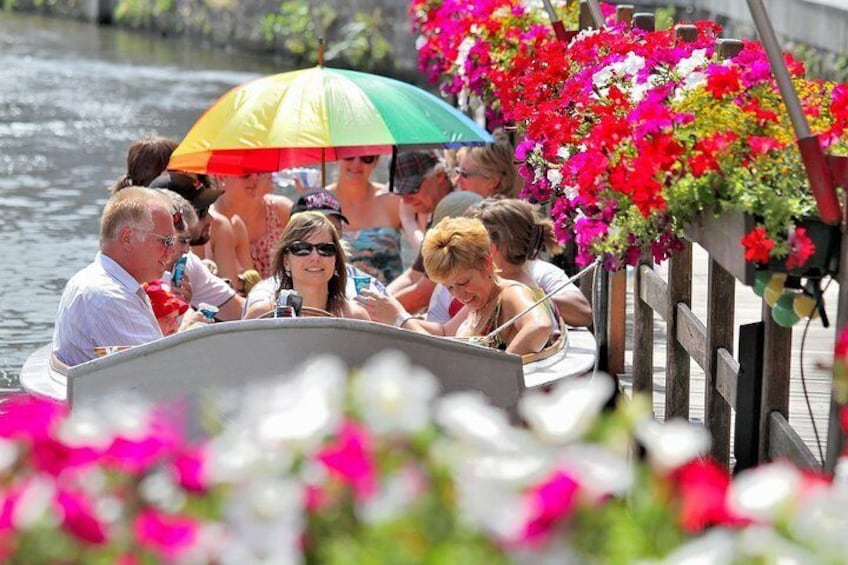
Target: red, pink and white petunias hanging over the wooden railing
point(632, 134)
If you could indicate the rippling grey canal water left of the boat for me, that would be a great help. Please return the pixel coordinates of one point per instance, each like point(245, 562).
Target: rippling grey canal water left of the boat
point(73, 96)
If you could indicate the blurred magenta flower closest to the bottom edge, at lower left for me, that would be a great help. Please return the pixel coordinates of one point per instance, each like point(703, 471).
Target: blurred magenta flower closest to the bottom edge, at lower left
point(167, 535)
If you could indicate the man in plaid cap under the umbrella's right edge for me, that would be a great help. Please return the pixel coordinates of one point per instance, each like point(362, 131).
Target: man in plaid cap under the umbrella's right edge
point(422, 181)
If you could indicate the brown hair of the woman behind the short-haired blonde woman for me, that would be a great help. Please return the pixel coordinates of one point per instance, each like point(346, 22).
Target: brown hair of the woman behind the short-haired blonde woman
point(516, 227)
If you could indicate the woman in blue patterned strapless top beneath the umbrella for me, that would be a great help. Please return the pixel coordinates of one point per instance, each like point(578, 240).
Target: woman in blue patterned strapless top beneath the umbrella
point(374, 231)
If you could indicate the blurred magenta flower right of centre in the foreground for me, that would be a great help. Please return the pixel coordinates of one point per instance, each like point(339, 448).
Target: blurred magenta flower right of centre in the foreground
point(550, 502)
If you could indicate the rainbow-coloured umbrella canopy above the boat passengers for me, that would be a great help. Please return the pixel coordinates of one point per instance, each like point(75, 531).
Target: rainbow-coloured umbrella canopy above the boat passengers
point(316, 115)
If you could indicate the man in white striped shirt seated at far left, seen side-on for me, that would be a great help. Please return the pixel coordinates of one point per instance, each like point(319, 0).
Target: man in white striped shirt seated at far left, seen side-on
point(104, 303)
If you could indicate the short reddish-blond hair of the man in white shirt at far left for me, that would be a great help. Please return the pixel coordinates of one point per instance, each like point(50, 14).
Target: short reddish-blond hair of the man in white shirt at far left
point(130, 207)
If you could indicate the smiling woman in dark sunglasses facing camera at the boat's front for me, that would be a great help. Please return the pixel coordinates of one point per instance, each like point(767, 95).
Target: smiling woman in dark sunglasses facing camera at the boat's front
point(309, 259)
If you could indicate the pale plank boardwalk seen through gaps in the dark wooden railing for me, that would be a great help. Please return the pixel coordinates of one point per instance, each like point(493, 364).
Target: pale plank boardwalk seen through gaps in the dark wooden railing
point(816, 352)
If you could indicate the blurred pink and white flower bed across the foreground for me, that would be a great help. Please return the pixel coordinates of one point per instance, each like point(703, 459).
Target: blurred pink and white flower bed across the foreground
point(377, 466)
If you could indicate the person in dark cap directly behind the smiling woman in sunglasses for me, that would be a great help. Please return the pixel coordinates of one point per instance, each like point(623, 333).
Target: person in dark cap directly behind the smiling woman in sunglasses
point(326, 203)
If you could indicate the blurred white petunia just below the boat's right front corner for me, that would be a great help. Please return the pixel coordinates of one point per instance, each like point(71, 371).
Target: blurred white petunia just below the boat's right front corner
point(567, 412)
